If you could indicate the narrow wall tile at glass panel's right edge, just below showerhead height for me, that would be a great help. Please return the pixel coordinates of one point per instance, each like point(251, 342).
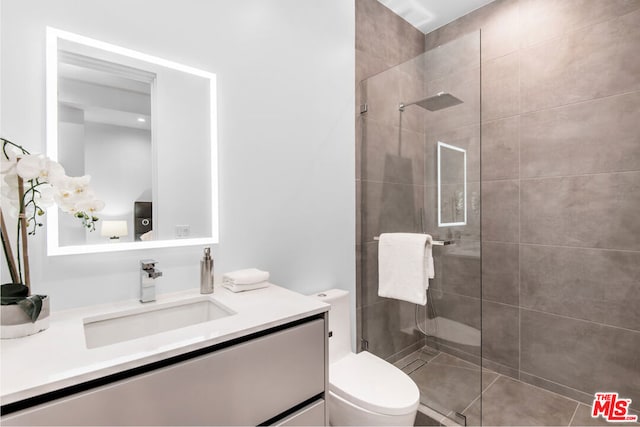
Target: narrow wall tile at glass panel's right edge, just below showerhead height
point(501, 149)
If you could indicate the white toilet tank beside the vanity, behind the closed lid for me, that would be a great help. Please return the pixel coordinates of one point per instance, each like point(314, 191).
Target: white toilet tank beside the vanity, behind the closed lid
point(339, 322)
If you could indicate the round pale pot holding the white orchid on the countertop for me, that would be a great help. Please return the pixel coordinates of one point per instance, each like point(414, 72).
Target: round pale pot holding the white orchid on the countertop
point(17, 317)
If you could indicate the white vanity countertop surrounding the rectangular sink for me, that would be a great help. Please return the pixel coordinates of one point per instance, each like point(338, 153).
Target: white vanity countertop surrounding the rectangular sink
point(58, 357)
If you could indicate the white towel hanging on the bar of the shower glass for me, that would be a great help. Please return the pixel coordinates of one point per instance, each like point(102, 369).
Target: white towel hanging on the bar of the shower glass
point(405, 265)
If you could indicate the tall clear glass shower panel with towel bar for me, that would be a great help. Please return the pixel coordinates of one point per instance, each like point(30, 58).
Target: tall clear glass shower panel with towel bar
point(420, 173)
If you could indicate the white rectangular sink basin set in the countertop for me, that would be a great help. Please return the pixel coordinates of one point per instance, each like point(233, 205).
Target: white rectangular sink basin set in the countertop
point(148, 320)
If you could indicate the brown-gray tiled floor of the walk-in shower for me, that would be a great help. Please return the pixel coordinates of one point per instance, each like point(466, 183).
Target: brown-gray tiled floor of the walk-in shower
point(449, 384)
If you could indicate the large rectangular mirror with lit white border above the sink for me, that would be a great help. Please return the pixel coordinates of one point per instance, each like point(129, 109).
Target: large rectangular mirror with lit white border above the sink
point(144, 129)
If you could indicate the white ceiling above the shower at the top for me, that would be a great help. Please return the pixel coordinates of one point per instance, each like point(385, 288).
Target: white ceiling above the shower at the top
point(427, 15)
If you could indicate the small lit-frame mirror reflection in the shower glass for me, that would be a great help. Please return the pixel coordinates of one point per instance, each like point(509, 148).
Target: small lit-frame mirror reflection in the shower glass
point(452, 185)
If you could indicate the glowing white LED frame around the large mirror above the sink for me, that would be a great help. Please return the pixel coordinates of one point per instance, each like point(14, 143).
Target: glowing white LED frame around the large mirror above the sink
point(53, 35)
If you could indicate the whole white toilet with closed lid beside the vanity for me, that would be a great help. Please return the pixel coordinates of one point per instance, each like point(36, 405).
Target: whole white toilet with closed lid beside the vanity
point(363, 389)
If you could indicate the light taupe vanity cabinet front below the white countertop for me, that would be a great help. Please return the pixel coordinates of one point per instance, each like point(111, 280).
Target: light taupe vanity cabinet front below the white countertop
point(275, 377)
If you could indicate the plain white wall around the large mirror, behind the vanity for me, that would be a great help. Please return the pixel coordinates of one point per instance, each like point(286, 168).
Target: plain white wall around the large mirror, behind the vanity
point(286, 105)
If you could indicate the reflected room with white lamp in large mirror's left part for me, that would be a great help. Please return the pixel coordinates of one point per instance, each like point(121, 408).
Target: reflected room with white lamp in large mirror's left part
point(104, 130)
